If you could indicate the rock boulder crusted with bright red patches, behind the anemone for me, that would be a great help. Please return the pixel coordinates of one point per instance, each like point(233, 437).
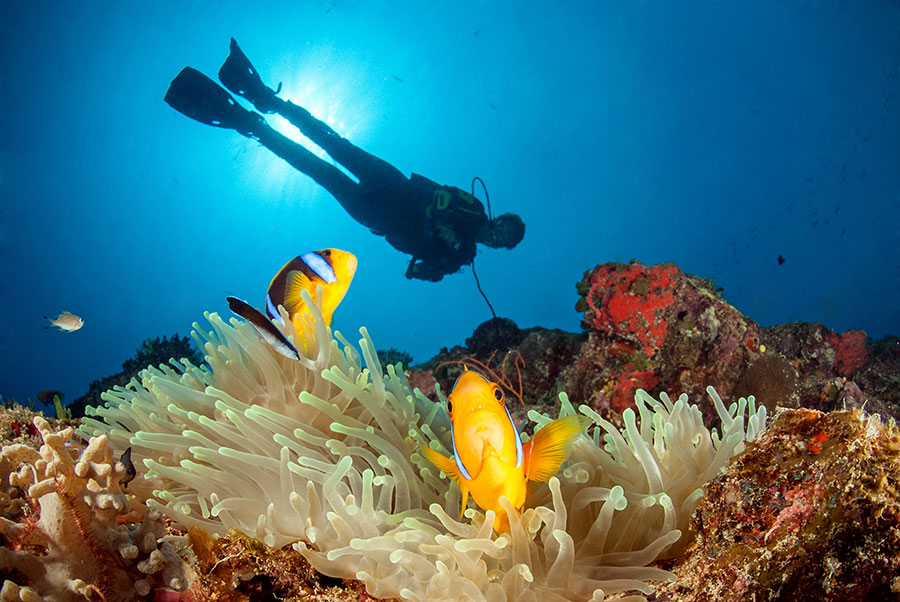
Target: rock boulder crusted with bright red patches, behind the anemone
point(656, 328)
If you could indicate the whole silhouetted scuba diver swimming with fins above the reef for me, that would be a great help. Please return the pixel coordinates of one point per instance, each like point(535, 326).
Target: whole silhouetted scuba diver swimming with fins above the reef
point(438, 225)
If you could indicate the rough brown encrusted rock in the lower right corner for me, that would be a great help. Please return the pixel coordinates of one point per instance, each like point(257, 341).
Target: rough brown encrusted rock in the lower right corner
point(810, 511)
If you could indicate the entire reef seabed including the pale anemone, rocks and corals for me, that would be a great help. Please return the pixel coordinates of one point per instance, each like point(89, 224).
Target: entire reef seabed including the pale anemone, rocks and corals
point(319, 460)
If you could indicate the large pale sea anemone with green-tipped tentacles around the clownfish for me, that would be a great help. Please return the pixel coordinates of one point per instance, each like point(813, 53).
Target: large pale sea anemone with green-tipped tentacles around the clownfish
point(324, 453)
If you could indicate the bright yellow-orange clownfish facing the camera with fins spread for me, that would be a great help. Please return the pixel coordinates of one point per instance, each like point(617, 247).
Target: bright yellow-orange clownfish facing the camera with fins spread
point(489, 459)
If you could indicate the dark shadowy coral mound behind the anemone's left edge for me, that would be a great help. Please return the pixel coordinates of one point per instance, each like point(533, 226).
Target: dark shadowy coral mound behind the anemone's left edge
point(152, 352)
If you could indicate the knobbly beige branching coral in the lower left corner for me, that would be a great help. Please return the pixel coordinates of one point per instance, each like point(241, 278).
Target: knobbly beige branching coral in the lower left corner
point(60, 527)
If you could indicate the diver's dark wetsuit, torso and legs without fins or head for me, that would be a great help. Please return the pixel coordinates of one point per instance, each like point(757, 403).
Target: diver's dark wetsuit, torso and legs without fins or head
point(435, 224)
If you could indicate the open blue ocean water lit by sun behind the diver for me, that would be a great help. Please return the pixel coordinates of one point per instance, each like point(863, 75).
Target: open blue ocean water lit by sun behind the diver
point(716, 135)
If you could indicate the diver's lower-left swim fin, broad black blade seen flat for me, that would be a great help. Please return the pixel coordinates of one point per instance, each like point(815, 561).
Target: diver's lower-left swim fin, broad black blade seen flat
point(200, 98)
